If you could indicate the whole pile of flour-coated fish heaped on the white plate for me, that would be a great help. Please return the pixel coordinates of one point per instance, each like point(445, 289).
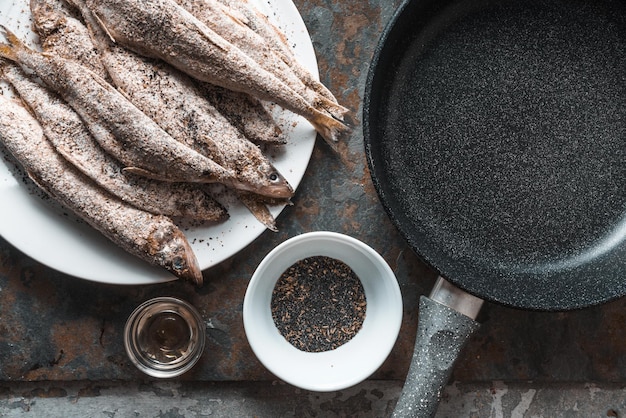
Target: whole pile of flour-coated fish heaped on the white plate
point(132, 108)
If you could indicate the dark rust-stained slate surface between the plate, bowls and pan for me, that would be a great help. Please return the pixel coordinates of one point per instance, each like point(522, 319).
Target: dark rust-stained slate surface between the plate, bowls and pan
point(57, 328)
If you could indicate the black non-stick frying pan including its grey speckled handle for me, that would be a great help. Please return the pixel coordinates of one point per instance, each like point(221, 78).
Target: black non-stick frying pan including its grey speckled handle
point(495, 133)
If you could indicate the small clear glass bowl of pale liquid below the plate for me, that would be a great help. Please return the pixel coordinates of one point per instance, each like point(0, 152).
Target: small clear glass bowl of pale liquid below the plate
point(164, 337)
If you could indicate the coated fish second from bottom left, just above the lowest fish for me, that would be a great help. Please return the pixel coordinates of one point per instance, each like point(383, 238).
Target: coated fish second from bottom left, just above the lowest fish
point(68, 134)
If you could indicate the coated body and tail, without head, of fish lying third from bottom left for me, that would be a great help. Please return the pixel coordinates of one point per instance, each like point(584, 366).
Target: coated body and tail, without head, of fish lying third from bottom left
point(118, 126)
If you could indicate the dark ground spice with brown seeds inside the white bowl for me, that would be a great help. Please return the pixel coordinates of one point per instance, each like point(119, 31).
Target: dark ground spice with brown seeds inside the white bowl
point(318, 304)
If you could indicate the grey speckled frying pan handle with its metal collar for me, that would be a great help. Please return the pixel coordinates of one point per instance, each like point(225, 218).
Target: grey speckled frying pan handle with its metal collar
point(441, 334)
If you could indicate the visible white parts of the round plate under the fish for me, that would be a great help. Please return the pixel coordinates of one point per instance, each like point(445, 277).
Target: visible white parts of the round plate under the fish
point(48, 234)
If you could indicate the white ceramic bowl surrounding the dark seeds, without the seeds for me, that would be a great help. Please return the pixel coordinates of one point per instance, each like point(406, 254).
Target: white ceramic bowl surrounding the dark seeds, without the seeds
point(351, 362)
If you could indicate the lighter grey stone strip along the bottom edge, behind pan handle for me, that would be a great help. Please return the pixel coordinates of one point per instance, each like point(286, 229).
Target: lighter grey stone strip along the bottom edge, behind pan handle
point(370, 399)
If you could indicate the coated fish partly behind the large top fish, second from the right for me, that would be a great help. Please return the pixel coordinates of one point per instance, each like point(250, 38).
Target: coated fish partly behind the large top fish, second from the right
point(220, 19)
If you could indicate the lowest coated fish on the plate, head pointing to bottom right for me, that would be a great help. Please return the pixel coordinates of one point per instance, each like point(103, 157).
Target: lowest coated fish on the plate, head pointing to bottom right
point(154, 238)
